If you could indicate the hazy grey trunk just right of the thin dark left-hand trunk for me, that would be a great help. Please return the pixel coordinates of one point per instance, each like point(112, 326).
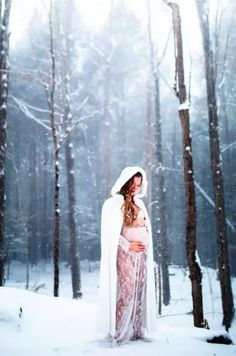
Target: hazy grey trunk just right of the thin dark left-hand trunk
point(66, 50)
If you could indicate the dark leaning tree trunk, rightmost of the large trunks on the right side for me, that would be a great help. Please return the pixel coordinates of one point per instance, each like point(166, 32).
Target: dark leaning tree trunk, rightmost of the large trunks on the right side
point(216, 167)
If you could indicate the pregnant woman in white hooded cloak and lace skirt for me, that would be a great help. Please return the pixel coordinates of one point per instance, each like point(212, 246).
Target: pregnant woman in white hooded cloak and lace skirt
point(126, 292)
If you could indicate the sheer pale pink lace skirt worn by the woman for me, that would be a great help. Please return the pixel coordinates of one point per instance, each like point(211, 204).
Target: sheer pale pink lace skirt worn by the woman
point(131, 292)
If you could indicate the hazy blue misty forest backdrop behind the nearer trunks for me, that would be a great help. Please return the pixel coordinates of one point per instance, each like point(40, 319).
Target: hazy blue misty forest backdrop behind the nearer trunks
point(108, 55)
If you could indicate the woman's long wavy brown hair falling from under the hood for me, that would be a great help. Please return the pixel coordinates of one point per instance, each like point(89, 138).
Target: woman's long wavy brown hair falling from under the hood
point(128, 208)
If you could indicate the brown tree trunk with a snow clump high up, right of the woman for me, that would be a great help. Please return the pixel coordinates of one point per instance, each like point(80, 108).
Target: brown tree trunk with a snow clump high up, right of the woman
point(194, 268)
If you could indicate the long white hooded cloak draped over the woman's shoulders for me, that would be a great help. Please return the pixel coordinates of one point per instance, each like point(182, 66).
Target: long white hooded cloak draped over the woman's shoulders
point(111, 224)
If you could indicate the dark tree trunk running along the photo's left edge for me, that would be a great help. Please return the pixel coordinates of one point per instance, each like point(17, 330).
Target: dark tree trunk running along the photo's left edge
point(4, 52)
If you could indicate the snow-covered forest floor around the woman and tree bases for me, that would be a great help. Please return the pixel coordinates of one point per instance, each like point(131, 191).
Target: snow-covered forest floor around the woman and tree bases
point(37, 324)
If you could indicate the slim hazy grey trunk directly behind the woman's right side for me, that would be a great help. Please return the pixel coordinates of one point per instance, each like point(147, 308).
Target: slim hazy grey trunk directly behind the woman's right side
point(158, 180)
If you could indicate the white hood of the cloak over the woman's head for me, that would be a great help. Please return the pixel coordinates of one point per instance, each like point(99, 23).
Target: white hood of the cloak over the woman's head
point(125, 175)
